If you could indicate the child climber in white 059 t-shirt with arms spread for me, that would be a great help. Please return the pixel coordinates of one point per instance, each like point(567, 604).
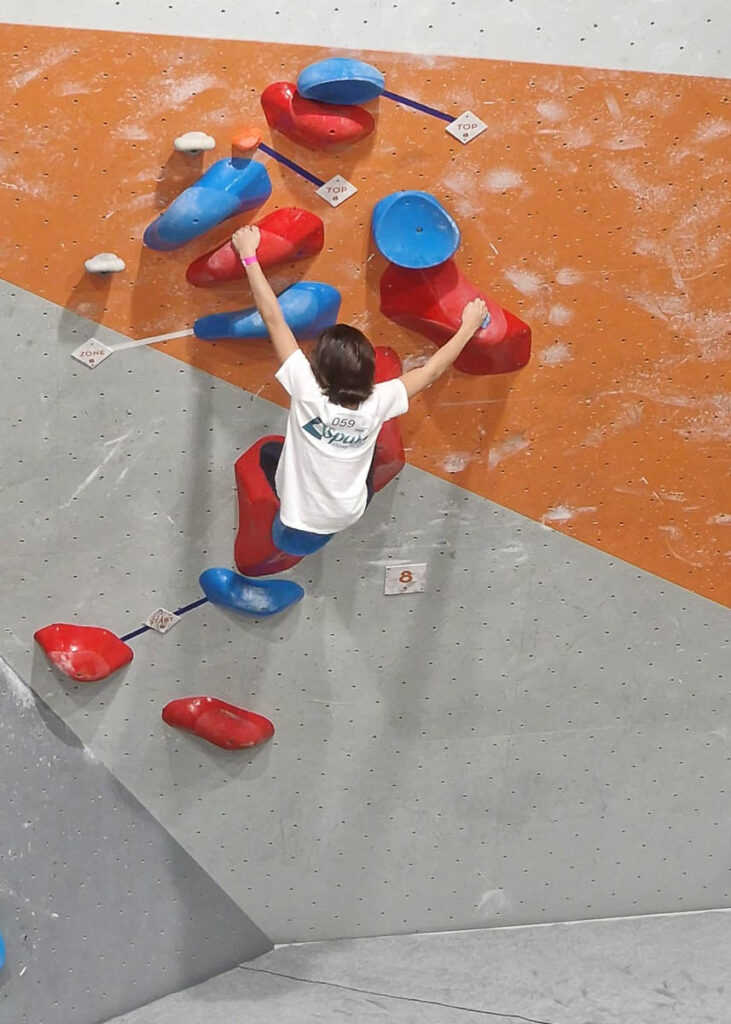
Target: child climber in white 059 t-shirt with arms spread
point(322, 475)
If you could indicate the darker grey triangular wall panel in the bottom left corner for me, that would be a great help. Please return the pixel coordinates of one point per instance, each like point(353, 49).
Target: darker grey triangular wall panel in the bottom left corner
point(102, 911)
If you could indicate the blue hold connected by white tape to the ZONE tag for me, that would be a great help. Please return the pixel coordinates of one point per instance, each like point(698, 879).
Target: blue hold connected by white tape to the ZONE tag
point(309, 308)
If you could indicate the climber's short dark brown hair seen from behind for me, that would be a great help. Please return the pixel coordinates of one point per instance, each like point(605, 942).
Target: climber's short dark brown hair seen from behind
point(345, 365)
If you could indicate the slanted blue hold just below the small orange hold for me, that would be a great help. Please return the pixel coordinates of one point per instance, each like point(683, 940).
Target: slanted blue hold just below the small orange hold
point(228, 189)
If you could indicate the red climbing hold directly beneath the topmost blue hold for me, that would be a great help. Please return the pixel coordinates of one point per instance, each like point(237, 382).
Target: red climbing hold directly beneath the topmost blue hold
point(315, 125)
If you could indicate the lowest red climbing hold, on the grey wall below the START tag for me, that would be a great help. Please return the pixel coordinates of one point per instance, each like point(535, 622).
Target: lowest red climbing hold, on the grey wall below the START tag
point(221, 723)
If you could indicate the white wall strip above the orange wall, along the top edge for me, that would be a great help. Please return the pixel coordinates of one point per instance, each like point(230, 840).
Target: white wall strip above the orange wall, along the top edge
point(681, 36)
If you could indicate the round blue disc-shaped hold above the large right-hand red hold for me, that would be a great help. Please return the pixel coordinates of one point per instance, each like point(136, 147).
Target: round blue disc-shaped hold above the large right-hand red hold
point(414, 230)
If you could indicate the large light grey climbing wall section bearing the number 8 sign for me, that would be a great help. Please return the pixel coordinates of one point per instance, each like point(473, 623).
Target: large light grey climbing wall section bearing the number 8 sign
point(540, 737)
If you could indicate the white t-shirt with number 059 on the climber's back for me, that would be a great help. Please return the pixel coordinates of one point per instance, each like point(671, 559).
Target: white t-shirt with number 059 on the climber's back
point(328, 450)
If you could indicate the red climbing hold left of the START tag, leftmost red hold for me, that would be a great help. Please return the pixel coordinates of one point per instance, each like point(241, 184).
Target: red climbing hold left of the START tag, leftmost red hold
point(85, 654)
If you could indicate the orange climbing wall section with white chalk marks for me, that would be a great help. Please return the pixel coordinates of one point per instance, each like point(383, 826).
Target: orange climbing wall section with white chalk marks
point(595, 207)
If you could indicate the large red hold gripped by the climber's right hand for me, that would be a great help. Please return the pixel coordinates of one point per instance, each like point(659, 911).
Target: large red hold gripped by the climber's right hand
point(432, 302)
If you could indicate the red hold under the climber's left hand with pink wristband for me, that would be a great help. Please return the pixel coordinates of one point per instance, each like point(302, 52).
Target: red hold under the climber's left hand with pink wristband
point(286, 236)
